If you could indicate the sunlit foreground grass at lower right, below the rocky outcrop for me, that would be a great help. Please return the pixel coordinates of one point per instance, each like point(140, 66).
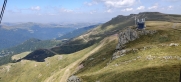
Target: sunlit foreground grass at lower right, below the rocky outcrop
point(140, 70)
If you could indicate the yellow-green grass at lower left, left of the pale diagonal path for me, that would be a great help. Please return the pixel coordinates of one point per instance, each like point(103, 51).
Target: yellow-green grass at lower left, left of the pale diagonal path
point(28, 71)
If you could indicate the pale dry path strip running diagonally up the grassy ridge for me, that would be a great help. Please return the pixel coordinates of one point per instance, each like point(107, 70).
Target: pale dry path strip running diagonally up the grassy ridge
point(64, 73)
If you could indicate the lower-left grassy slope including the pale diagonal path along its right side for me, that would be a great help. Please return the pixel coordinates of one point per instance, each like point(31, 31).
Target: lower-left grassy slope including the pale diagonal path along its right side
point(57, 68)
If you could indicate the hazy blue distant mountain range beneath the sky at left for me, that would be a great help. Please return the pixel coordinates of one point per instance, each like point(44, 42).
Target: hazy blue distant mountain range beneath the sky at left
point(12, 34)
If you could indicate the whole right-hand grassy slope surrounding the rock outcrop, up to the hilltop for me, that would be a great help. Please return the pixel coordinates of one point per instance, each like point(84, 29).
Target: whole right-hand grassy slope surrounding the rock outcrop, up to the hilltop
point(158, 63)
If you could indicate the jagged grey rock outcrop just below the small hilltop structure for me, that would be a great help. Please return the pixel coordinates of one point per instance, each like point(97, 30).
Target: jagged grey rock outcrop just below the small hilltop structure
point(129, 34)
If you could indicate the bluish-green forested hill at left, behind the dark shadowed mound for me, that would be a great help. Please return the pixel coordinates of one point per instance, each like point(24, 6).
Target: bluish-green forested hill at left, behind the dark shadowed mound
point(27, 46)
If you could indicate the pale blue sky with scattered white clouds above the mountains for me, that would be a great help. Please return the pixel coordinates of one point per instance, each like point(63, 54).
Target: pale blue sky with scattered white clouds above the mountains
point(77, 11)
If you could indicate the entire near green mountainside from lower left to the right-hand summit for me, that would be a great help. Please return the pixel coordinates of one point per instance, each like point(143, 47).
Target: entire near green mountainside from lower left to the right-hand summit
point(96, 57)
